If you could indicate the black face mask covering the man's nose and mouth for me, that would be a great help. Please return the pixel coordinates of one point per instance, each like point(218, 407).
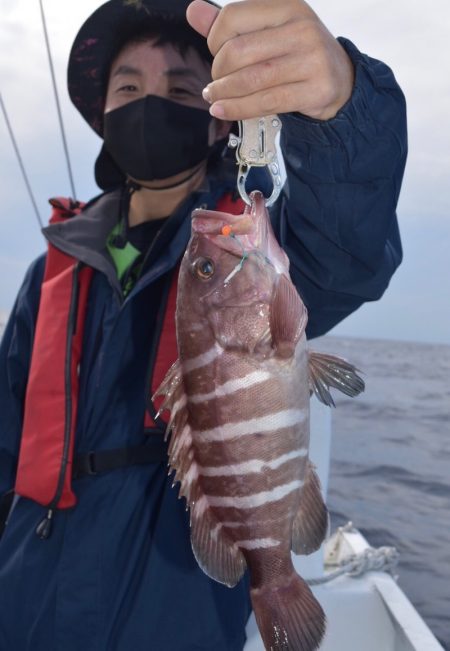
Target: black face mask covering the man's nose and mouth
point(154, 138)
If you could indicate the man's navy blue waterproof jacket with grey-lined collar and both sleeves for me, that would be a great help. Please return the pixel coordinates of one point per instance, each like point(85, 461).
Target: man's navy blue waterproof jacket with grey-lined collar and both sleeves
point(117, 572)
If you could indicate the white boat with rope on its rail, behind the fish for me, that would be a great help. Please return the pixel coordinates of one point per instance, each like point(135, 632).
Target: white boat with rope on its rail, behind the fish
point(355, 583)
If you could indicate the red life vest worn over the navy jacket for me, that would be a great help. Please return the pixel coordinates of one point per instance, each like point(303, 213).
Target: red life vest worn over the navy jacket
point(44, 472)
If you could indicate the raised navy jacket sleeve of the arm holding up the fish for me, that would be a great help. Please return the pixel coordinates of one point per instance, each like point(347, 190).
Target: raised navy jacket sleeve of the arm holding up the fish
point(336, 218)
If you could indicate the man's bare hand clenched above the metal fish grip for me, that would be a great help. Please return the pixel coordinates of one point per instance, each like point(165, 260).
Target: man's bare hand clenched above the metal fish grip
point(272, 56)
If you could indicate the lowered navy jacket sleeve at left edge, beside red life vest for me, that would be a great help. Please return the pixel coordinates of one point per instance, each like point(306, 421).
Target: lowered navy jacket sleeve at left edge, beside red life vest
point(15, 355)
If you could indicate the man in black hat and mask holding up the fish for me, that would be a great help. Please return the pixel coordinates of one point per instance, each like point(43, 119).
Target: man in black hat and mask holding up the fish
point(96, 552)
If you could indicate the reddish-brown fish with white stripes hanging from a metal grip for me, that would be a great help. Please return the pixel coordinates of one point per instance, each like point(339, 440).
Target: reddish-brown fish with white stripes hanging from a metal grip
point(238, 398)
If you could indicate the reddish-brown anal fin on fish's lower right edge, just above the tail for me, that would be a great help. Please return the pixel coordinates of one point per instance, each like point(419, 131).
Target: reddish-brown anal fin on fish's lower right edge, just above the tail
point(310, 525)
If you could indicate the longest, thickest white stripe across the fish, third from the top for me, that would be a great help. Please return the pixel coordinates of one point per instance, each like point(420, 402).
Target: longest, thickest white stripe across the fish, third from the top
point(269, 423)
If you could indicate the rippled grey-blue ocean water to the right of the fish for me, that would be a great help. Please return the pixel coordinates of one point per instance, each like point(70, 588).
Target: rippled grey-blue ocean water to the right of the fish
point(390, 464)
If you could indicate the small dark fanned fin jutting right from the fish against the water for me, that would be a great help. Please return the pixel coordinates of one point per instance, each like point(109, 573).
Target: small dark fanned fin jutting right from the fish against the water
point(327, 371)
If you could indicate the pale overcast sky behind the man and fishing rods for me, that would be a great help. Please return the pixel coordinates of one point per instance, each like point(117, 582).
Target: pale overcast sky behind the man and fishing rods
point(411, 38)
